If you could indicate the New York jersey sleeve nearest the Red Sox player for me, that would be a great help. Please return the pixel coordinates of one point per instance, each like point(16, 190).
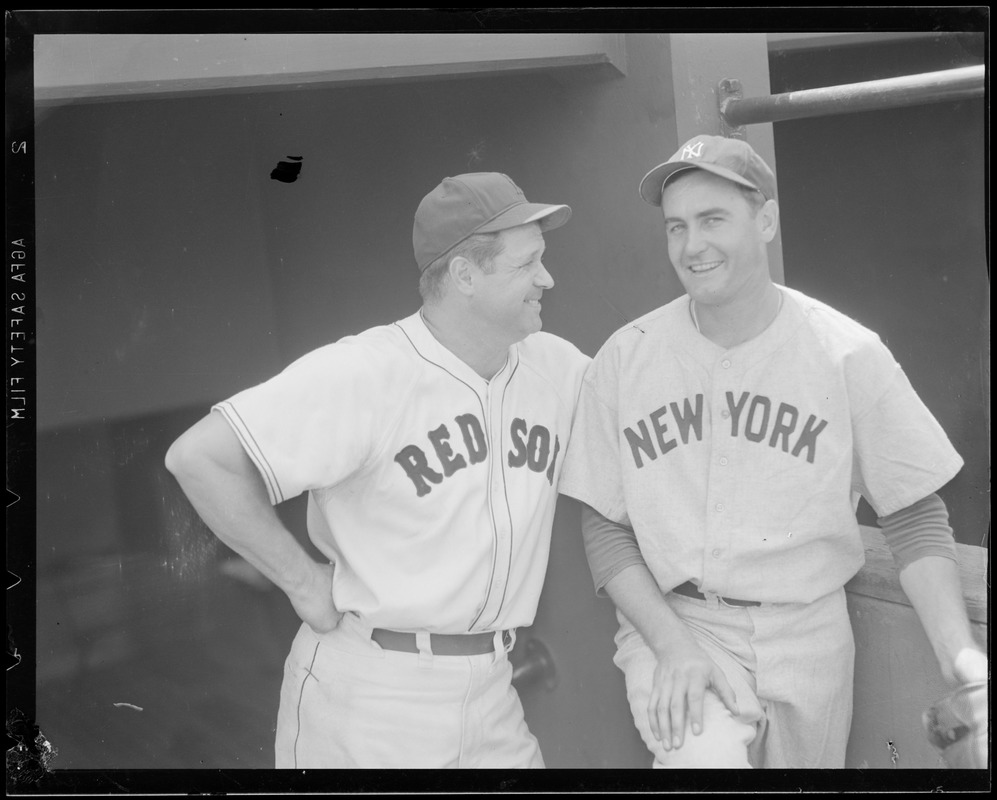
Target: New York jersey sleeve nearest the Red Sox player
point(592, 471)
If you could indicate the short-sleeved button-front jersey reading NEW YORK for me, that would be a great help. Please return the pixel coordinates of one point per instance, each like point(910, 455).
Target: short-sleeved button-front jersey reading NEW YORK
point(740, 468)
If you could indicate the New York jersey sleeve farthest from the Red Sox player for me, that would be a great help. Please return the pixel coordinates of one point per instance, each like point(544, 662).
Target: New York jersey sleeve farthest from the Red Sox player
point(901, 453)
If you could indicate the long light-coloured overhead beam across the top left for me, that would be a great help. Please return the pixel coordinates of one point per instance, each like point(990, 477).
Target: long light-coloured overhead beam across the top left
point(121, 66)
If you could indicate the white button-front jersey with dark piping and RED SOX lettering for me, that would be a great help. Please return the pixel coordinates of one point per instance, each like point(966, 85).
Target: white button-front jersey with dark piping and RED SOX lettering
point(432, 489)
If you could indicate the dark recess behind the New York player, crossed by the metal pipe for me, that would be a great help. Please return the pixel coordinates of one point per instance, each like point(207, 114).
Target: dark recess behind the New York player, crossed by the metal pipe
point(884, 218)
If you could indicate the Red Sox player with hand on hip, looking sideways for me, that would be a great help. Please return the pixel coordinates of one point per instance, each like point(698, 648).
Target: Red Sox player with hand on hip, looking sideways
point(430, 450)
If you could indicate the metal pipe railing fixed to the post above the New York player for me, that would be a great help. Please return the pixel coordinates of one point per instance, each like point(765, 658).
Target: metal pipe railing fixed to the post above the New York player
point(908, 90)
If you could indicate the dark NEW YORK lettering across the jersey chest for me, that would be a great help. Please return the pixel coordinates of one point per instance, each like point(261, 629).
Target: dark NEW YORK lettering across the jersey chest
point(751, 416)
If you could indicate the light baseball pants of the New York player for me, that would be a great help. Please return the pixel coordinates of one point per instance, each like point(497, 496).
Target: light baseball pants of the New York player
point(791, 667)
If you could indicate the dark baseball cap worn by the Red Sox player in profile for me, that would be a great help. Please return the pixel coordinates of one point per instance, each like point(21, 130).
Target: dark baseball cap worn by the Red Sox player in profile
point(478, 202)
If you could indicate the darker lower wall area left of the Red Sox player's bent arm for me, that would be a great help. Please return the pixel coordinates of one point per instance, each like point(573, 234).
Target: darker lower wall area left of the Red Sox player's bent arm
point(157, 647)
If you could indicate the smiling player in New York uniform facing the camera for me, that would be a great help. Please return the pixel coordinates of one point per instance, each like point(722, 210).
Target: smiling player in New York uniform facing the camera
point(720, 446)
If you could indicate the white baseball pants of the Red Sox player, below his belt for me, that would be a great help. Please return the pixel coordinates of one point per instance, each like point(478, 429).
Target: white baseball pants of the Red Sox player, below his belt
point(347, 703)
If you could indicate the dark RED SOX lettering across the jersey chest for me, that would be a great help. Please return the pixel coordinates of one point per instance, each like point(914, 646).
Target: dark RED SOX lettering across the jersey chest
point(531, 447)
